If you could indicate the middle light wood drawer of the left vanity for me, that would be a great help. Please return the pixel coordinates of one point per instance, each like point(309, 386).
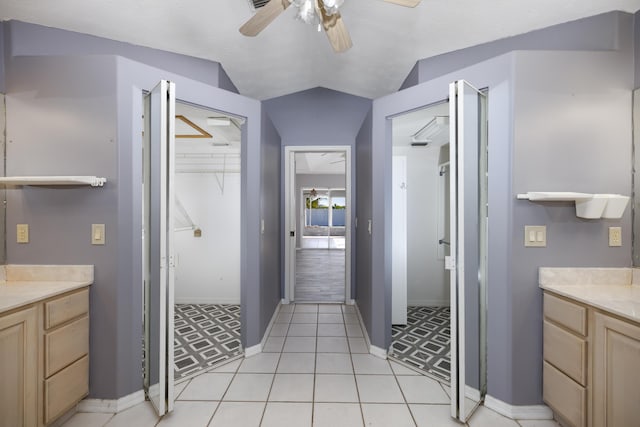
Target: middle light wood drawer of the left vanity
point(66, 345)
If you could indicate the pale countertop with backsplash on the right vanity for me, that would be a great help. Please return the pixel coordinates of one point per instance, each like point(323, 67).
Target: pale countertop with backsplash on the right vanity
point(608, 289)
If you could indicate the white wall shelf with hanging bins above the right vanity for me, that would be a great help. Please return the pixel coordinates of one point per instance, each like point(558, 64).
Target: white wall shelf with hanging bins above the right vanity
point(590, 206)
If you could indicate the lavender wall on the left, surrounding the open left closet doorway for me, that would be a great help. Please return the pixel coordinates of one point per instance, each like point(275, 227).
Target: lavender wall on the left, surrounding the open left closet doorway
point(86, 106)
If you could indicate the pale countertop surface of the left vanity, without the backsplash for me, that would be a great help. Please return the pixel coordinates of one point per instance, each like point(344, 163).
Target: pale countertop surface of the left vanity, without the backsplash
point(17, 294)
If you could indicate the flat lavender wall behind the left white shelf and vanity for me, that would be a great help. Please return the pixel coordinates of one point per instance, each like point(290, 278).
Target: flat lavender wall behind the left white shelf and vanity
point(73, 100)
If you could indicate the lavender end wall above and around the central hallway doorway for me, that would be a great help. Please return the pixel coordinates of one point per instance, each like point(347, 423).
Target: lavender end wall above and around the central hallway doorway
point(318, 117)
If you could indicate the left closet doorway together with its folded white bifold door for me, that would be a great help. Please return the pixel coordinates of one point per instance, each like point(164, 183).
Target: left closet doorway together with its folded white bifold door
point(191, 191)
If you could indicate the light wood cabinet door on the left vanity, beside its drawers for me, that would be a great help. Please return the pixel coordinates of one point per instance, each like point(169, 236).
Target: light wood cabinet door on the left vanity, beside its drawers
point(19, 369)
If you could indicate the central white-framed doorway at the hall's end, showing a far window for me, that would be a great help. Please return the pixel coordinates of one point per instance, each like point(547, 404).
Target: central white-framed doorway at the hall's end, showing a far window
point(317, 212)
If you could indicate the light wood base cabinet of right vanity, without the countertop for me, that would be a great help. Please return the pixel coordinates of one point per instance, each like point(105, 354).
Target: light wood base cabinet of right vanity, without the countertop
point(590, 368)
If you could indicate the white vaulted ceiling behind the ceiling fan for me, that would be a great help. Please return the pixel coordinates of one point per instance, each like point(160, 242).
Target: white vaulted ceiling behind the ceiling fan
point(290, 56)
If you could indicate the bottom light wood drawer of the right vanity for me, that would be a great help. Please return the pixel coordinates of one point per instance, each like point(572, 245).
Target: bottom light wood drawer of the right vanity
point(564, 395)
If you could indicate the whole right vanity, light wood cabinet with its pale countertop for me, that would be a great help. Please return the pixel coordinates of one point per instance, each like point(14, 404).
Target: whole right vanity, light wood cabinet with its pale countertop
point(591, 345)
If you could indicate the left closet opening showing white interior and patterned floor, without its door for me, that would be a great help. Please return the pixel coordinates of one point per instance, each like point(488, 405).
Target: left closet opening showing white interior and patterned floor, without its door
point(207, 239)
